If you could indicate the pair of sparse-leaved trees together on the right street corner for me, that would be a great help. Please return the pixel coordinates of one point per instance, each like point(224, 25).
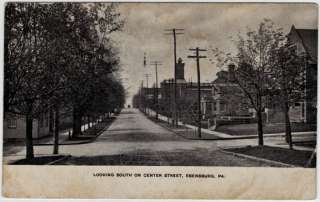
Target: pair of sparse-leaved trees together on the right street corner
point(268, 68)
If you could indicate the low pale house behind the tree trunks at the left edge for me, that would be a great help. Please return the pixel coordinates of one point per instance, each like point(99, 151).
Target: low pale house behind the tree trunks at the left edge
point(14, 127)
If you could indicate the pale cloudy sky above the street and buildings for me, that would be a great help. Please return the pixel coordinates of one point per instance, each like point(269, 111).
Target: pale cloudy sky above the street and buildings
point(206, 25)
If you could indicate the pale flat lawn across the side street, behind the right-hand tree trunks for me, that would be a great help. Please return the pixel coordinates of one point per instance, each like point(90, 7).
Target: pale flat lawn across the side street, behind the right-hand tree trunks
point(252, 128)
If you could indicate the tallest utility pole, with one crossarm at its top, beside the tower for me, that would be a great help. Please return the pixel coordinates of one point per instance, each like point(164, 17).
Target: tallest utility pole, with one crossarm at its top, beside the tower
point(175, 32)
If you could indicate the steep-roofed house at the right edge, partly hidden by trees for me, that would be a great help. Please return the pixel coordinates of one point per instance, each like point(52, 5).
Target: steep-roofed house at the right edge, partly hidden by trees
point(305, 42)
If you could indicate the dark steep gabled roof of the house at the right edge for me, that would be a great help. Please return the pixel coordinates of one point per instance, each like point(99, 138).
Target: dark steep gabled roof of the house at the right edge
point(309, 38)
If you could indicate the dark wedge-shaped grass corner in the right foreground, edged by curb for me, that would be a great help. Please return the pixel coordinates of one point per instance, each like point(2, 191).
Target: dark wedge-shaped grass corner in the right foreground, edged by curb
point(293, 157)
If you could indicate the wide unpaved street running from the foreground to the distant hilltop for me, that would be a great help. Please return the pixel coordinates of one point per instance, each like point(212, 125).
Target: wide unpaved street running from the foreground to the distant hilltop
point(132, 139)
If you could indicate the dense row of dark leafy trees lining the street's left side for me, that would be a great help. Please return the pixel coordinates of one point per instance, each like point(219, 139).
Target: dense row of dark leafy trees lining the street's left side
point(60, 56)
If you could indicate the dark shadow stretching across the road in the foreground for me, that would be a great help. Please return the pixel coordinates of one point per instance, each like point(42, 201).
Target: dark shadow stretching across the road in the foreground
point(179, 157)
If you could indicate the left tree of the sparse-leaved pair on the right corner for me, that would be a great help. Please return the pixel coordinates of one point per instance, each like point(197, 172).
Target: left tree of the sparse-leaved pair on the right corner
point(253, 64)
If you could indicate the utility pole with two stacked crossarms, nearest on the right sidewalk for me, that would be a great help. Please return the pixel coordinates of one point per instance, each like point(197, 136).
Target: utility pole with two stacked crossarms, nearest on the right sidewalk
point(197, 56)
